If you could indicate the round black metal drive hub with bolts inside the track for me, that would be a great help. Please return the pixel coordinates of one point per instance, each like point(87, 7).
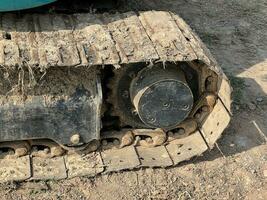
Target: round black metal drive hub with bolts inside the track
point(161, 96)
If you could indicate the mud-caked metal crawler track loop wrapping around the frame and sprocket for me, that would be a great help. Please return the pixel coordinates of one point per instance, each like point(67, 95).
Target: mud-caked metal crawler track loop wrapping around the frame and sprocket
point(50, 41)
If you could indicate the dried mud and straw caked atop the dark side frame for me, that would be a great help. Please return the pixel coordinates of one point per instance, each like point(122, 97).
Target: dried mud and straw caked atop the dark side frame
point(19, 86)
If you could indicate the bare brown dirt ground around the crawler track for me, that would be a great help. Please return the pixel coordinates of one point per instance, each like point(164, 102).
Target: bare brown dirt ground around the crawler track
point(236, 33)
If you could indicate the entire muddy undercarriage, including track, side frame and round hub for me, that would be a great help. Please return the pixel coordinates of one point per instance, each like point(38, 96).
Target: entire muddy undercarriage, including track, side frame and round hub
point(89, 93)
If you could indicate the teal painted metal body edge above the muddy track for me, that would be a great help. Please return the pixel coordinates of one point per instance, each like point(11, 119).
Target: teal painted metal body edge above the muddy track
point(12, 5)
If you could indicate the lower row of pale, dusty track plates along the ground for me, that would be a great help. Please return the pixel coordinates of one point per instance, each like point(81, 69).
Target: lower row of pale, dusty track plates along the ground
point(112, 159)
